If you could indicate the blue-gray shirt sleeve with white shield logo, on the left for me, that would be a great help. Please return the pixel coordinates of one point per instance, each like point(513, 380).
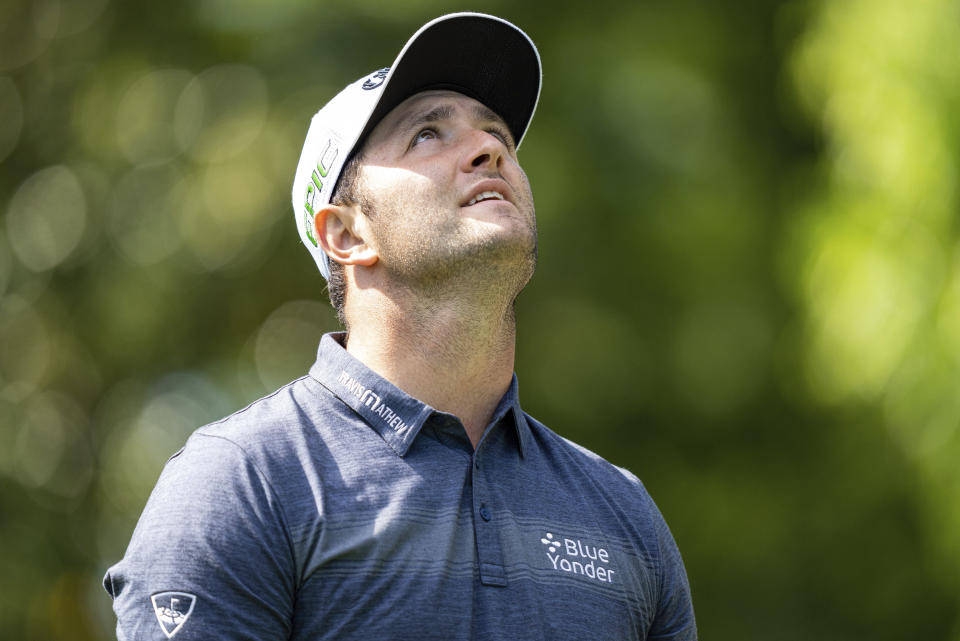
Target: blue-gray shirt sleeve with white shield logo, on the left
point(210, 557)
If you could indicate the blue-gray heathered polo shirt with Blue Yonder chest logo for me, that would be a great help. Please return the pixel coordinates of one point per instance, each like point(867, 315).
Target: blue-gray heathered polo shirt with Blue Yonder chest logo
point(340, 507)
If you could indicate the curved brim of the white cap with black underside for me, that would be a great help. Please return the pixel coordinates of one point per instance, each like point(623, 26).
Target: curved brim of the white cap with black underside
point(480, 56)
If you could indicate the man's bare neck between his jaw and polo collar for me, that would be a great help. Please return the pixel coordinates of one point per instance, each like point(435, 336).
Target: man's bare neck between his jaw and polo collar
point(454, 356)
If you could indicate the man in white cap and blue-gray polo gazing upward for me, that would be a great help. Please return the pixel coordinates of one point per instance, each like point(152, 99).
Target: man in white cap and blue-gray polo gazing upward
point(398, 491)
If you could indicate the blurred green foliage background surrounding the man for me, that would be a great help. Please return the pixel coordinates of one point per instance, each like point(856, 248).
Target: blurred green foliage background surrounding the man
point(748, 293)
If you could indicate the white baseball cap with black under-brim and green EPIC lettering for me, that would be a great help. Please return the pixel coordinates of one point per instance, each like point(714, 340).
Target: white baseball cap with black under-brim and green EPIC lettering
point(478, 55)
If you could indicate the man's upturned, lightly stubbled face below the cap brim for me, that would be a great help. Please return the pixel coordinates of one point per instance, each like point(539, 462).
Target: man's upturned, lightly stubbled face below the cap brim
point(445, 194)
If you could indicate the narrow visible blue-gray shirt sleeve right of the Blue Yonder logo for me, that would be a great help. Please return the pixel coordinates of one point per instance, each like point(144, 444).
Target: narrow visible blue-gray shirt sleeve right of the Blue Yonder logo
point(674, 619)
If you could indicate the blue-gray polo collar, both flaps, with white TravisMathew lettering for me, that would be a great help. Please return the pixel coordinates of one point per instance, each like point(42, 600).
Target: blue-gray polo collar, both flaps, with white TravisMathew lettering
point(395, 415)
